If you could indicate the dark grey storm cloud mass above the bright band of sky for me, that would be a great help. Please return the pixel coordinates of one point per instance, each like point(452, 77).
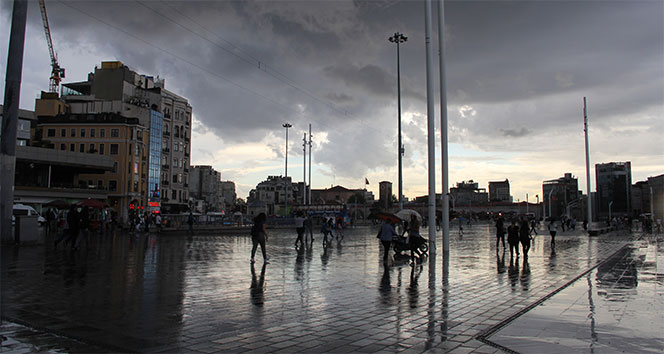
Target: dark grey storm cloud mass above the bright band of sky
point(248, 66)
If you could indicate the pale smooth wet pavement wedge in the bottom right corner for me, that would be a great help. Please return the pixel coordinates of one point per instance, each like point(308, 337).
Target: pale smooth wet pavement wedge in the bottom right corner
point(615, 308)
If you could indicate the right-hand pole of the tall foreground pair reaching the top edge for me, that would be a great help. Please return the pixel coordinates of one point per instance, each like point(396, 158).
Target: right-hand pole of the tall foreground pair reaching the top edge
point(443, 128)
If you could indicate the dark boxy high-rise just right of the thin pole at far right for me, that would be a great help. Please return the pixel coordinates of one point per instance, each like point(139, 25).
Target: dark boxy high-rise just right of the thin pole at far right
point(614, 188)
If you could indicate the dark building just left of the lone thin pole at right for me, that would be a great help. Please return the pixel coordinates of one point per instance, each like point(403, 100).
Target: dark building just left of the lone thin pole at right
point(561, 197)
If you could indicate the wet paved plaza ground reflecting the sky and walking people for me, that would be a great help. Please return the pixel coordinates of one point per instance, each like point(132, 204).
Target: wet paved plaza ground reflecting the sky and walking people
point(169, 293)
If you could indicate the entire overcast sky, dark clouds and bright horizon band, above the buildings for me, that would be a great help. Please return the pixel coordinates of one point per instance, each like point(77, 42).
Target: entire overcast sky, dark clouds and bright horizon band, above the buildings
point(517, 74)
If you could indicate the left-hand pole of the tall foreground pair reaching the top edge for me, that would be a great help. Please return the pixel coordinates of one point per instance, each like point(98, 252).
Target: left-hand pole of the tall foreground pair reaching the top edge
point(430, 132)
